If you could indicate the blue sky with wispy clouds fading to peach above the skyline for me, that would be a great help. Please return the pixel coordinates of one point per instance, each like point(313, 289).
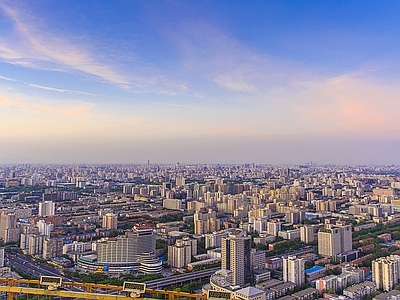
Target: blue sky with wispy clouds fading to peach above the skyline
point(275, 82)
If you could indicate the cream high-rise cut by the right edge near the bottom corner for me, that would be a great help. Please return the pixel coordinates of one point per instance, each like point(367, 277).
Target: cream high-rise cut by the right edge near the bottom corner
point(386, 272)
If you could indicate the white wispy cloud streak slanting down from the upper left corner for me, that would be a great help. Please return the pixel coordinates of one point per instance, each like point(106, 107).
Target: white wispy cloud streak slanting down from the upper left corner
point(31, 47)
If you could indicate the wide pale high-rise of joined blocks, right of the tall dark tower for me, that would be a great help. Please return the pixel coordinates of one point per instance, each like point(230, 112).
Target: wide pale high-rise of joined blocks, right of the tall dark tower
point(334, 239)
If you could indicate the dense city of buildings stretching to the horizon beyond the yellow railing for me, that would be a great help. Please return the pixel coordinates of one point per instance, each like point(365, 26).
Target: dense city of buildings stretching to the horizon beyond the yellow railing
point(248, 231)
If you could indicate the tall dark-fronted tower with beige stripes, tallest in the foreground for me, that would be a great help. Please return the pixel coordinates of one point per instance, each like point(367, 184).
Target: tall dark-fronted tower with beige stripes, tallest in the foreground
point(236, 258)
